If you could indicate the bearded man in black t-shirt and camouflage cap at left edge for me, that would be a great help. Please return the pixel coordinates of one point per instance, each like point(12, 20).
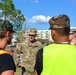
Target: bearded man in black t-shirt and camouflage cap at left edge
point(7, 66)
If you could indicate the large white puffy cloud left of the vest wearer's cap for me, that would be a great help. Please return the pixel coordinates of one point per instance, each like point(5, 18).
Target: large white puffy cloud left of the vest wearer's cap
point(39, 19)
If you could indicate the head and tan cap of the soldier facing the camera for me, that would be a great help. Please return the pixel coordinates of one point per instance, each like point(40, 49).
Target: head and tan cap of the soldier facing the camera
point(32, 32)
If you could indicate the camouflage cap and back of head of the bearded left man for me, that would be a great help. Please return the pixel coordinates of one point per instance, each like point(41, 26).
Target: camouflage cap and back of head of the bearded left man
point(4, 27)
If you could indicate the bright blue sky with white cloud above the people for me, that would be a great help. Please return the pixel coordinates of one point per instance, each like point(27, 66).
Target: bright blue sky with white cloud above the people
point(38, 12)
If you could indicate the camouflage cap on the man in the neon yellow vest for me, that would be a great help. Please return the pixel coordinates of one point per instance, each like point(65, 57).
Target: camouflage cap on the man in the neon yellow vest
point(60, 21)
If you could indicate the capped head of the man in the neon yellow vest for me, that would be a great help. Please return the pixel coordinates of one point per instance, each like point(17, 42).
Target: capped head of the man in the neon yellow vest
point(60, 26)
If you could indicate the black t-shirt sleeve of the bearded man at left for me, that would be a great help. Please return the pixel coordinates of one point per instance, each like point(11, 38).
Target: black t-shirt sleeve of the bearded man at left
point(6, 63)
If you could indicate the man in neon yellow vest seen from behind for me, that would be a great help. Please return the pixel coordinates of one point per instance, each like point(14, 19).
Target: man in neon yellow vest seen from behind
point(58, 58)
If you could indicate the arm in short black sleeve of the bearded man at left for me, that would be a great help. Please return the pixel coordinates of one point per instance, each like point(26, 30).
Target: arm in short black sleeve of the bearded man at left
point(7, 66)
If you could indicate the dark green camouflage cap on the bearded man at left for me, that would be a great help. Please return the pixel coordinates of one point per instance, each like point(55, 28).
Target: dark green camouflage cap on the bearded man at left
point(6, 26)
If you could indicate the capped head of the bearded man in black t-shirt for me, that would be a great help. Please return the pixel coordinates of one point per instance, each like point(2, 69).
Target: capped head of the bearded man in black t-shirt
point(6, 30)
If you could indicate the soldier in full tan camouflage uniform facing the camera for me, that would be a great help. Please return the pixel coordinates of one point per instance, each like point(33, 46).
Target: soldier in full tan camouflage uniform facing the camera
point(29, 50)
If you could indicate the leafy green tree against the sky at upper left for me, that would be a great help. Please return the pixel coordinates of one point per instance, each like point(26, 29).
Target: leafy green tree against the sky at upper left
point(9, 12)
